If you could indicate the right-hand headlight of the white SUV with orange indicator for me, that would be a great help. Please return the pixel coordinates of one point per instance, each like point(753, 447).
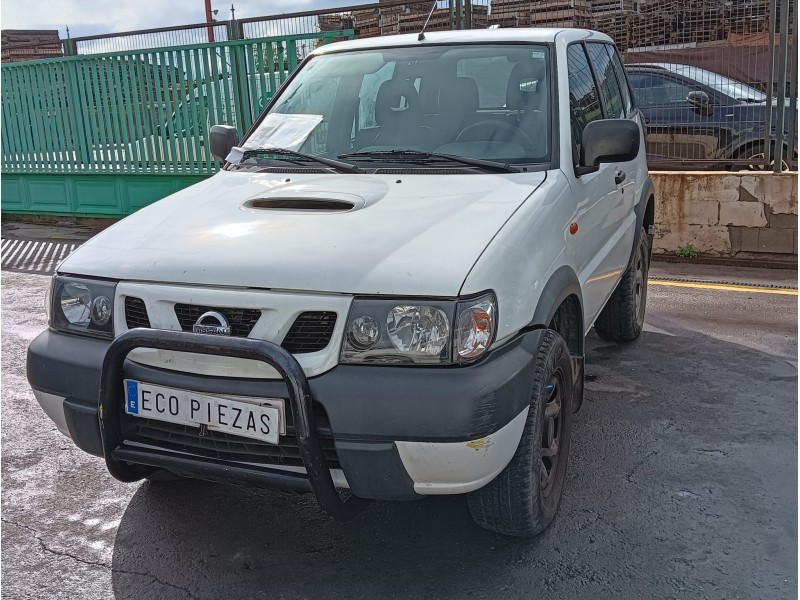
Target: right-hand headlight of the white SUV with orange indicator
point(418, 332)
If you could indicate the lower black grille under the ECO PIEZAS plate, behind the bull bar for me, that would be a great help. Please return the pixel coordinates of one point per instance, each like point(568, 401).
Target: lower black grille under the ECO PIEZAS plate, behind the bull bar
point(227, 447)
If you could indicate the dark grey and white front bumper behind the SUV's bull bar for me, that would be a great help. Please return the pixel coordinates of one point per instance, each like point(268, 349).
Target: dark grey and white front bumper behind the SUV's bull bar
point(398, 431)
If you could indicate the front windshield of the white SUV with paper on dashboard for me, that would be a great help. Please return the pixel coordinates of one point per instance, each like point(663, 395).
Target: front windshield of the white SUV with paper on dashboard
point(478, 101)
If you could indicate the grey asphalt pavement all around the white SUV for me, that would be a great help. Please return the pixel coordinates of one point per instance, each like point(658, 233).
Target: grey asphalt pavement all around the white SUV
point(682, 483)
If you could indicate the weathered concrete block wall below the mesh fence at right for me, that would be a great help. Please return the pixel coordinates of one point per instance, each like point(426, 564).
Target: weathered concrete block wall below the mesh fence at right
point(744, 214)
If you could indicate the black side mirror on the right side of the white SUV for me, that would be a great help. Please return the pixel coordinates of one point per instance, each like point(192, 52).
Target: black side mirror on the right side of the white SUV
point(608, 140)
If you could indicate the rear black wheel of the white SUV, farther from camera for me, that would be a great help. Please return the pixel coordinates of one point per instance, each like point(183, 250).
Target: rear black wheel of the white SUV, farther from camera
point(622, 317)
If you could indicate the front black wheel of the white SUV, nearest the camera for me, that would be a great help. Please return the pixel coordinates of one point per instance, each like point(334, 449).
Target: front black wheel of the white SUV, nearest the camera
point(523, 499)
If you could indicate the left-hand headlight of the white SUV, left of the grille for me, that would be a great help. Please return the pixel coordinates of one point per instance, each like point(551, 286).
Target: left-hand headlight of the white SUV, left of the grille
point(83, 306)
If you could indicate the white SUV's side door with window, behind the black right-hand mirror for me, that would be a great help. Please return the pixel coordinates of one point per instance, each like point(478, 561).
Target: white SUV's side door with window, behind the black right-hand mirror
point(605, 217)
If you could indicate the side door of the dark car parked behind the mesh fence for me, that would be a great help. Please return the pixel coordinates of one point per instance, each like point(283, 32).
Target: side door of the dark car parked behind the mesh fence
point(676, 128)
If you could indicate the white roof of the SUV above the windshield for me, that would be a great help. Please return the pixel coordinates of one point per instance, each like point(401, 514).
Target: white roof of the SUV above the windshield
point(469, 36)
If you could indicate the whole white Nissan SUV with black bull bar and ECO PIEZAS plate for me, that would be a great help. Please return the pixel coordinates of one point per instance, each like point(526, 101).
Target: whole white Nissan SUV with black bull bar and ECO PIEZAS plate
point(385, 289)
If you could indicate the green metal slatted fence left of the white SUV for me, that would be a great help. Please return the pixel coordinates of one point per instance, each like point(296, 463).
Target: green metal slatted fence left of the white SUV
point(133, 117)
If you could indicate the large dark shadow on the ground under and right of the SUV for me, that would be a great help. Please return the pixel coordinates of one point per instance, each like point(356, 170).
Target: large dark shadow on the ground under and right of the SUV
point(671, 493)
